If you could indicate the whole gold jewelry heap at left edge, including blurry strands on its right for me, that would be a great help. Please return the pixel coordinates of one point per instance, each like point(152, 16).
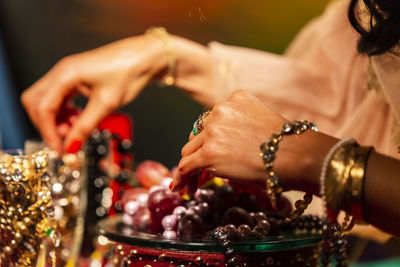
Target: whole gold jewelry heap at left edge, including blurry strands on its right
point(39, 204)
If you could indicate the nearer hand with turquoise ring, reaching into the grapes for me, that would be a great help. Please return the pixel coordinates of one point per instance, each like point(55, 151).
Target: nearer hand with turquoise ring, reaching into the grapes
point(229, 144)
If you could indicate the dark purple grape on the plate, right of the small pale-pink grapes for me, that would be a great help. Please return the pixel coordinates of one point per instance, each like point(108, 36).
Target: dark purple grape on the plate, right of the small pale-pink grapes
point(190, 227)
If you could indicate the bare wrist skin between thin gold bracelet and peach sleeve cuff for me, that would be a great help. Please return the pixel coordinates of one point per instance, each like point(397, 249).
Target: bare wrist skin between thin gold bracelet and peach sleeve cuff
point(194, 70)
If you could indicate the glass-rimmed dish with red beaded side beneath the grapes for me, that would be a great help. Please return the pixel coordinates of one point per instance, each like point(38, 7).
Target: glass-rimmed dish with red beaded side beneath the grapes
point(133, 248)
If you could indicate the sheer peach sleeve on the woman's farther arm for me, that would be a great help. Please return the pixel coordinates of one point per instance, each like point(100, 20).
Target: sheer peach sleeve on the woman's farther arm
point(321, 77)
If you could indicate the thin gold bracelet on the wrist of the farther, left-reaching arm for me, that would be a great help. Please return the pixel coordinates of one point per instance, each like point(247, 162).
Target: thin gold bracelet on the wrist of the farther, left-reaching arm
point(163, 34)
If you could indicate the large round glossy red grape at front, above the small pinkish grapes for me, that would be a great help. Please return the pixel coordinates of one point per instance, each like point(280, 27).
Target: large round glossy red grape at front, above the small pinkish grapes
point(162, 202)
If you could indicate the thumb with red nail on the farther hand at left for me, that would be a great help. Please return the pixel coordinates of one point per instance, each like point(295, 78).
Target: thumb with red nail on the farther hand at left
point(100, 104)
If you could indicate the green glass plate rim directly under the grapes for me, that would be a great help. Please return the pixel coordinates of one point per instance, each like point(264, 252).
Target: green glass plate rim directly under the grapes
point(115, 230)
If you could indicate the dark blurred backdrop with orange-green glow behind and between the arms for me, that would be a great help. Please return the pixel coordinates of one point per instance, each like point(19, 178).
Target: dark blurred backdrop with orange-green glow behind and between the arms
point(36, 34)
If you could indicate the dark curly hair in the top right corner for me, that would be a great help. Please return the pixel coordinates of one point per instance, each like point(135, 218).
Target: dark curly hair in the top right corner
point(382, 32)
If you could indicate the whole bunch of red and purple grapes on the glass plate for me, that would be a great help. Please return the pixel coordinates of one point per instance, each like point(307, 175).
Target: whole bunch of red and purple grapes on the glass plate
point(243, 211)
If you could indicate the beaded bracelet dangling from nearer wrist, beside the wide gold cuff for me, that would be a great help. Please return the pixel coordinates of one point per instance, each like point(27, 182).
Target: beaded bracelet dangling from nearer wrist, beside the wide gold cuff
point(268, 151)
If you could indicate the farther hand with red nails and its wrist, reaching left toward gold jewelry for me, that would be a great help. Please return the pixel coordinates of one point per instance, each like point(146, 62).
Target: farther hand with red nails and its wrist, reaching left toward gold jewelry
point(109, 76)
